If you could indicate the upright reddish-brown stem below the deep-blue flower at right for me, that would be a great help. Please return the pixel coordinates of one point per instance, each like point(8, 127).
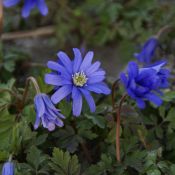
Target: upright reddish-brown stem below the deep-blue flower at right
point(118, 127)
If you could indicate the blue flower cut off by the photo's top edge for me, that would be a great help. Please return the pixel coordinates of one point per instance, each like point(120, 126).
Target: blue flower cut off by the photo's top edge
point(28, 6)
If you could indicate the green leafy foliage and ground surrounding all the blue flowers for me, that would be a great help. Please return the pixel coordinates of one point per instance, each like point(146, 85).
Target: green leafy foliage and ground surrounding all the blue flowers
point(114, 29)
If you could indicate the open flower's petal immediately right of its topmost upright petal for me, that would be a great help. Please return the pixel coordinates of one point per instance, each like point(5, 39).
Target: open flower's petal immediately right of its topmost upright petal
point(87, 61)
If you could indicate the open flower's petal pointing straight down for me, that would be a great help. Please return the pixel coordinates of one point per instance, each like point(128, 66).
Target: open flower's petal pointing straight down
point(77, 101)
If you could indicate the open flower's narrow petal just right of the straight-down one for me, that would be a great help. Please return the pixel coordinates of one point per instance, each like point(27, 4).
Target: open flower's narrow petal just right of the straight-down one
point(89, 99)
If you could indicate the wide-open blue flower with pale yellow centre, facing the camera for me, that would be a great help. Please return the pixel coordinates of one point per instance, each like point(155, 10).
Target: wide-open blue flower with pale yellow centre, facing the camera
point(76, 79)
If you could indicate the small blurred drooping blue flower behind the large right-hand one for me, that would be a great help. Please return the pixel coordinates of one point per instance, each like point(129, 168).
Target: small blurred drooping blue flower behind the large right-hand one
point(147, 51)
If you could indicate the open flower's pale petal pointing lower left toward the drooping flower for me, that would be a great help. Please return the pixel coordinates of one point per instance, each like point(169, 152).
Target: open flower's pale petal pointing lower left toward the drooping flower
point(61, 93)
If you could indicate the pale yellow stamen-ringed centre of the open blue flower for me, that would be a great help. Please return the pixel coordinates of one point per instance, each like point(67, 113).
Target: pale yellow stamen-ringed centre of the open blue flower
point(79, 79)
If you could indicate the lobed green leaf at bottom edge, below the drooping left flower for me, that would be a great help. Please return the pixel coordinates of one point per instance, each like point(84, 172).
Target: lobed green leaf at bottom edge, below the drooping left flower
point(63, 163)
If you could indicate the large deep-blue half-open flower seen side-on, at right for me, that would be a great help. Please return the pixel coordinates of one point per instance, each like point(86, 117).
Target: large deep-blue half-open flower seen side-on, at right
point(145, 83)
